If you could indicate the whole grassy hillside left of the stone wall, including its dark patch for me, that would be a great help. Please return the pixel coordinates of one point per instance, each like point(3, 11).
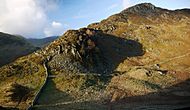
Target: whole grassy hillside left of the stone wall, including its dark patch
point(28, 72)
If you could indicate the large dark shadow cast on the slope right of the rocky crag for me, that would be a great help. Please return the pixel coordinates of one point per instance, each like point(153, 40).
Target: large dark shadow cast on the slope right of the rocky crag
point(115, 50)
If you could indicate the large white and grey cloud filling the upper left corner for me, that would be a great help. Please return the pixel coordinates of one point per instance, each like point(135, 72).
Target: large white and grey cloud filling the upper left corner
point(25, 17)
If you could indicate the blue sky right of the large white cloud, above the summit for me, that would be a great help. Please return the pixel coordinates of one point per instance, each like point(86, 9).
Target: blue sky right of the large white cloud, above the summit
point(77, 14)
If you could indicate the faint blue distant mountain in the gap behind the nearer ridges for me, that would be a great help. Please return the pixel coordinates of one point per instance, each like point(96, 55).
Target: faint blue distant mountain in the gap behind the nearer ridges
point(42, 42)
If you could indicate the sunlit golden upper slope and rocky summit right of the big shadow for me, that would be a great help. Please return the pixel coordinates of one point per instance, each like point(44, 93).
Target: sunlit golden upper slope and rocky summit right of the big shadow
point(163, 33)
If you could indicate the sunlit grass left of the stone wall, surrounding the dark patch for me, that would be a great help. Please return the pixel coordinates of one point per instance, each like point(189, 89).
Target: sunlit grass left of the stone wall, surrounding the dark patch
point(24, 72)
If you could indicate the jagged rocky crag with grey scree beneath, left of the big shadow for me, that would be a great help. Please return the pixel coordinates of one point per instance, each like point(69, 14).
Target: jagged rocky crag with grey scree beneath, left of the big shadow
point(77, 50)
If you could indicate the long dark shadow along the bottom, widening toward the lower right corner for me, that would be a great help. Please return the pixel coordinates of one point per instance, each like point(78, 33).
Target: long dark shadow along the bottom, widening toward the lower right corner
point(165, 99)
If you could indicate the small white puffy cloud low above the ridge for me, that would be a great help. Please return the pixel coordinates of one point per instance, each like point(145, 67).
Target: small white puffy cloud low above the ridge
point(56, 28)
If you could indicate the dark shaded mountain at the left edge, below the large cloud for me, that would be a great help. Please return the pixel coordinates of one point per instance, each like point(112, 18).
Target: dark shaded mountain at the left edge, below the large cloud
point(12, 47)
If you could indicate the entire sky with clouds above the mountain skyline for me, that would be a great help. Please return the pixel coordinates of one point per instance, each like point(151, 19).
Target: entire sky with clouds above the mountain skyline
point(44, 18)
